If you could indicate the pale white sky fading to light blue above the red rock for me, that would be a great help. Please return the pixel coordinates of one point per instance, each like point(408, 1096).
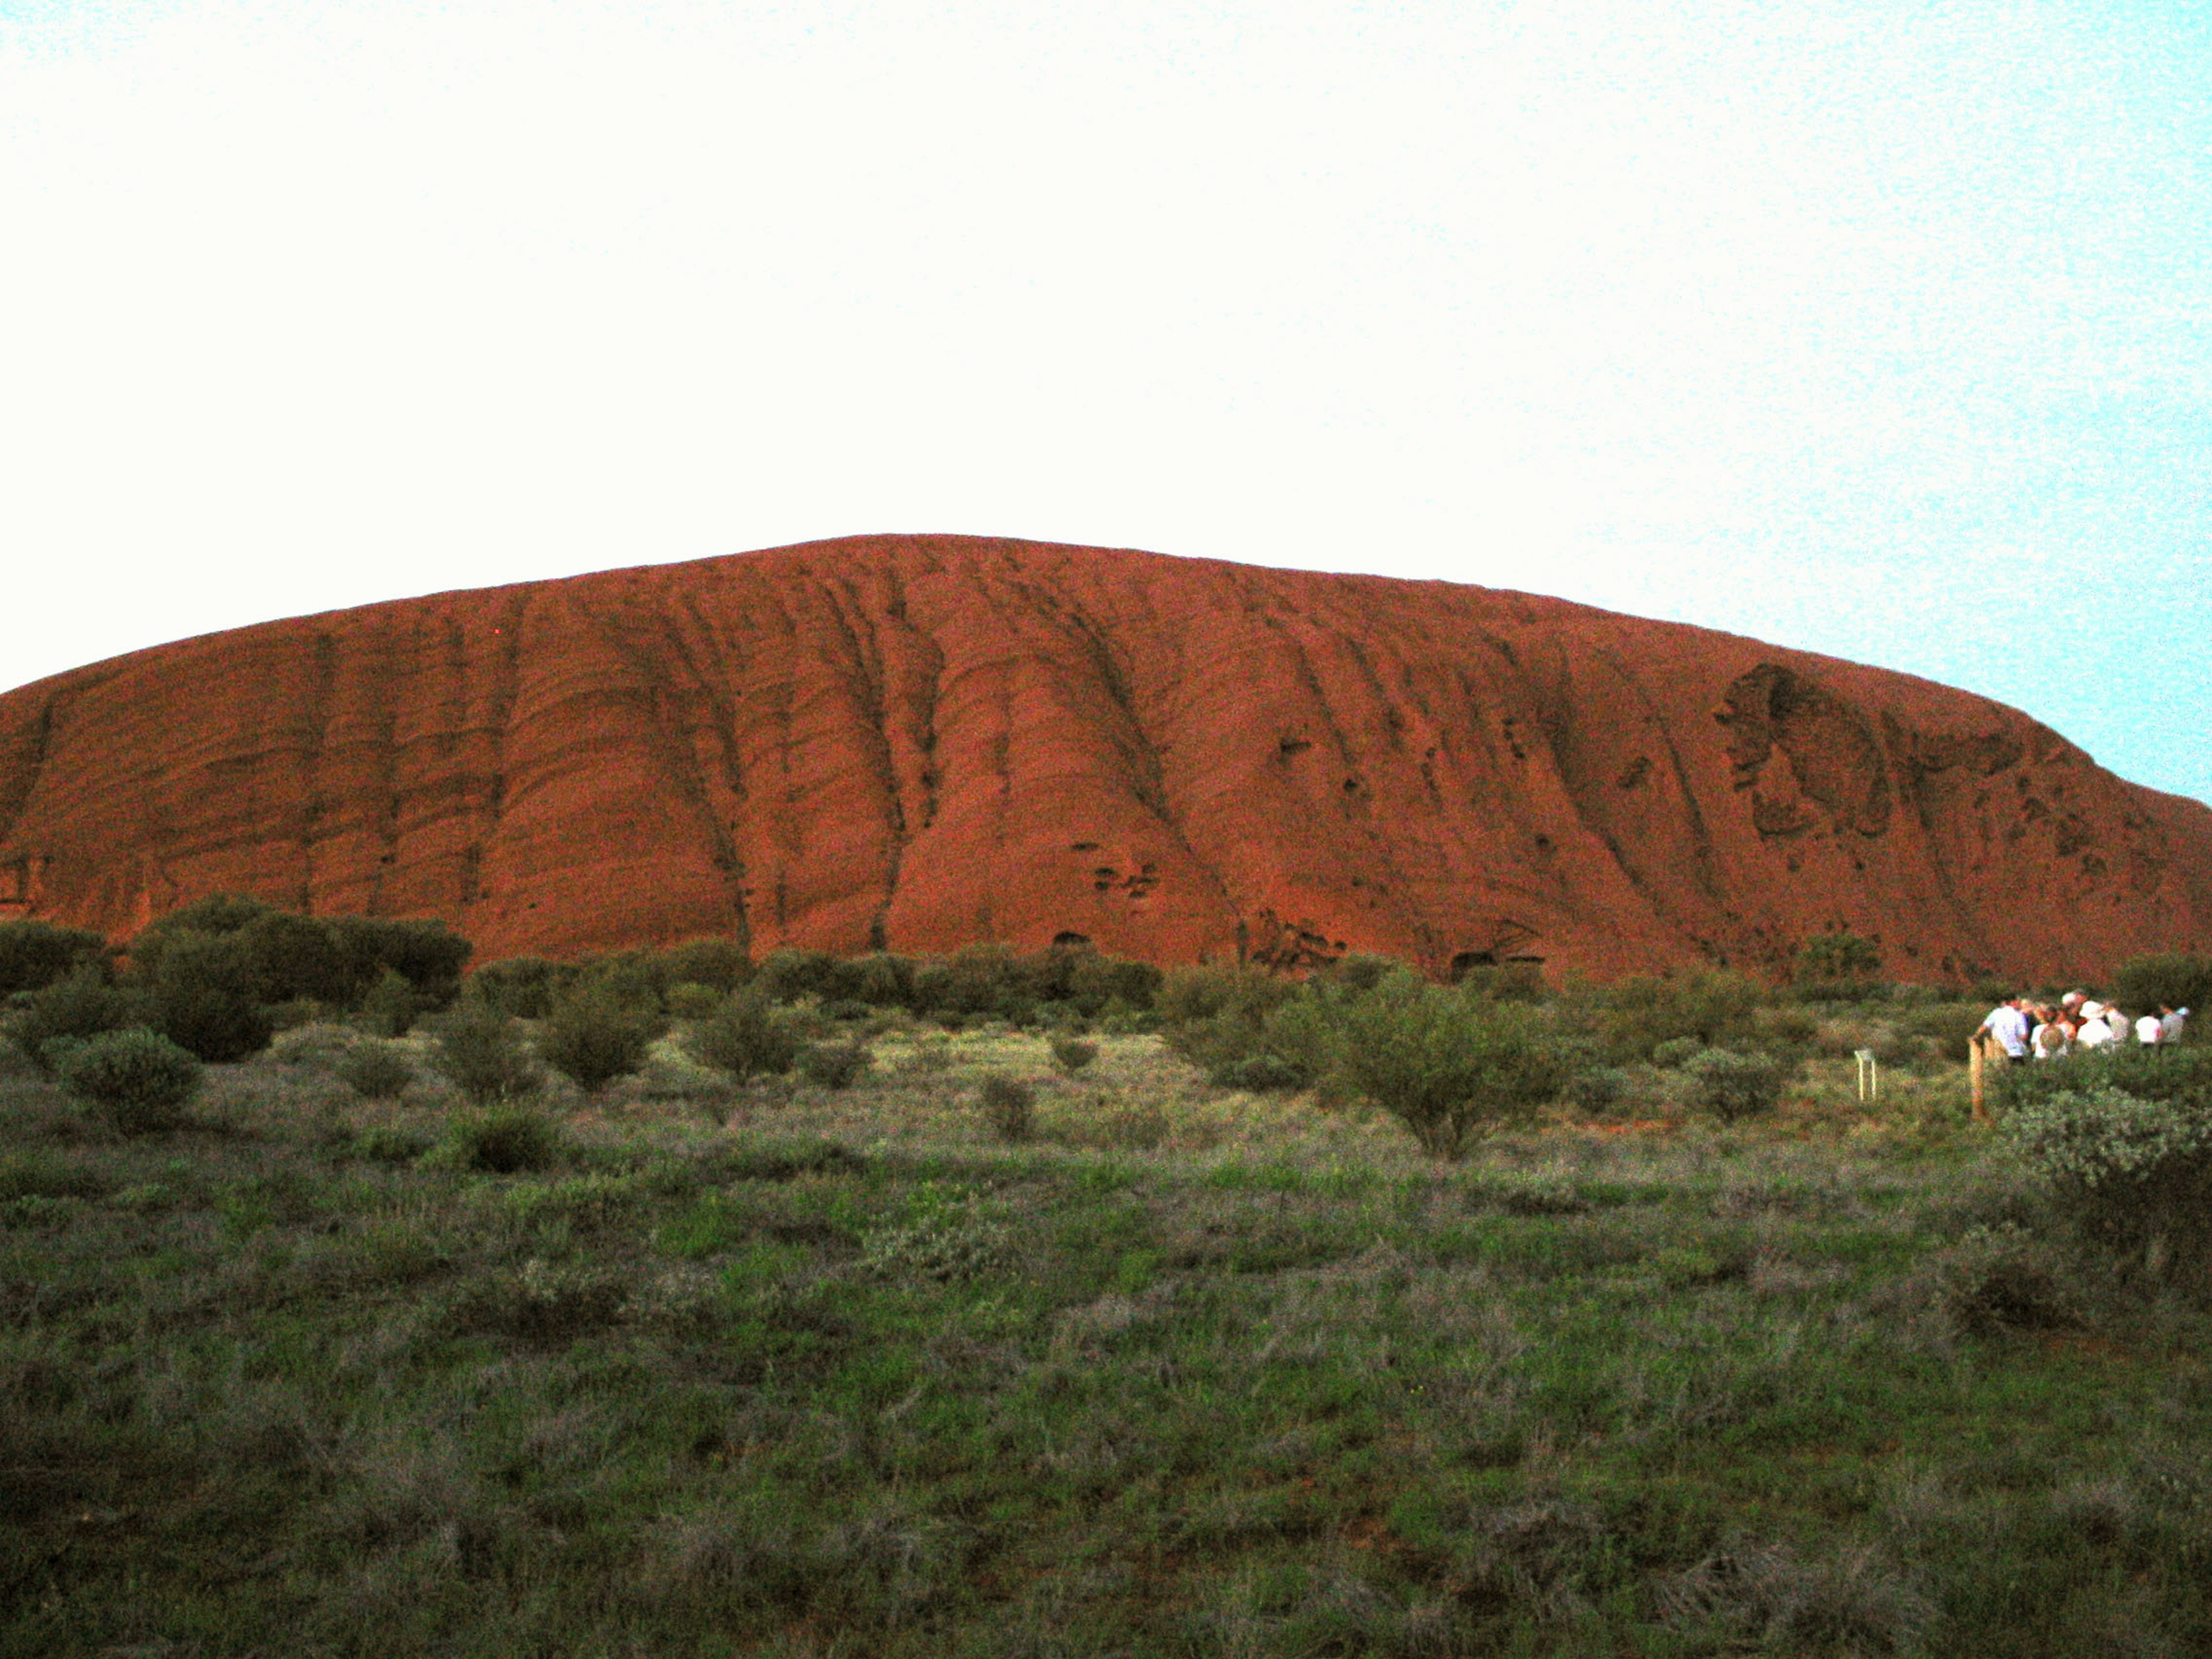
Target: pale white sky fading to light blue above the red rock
point(1875, 331)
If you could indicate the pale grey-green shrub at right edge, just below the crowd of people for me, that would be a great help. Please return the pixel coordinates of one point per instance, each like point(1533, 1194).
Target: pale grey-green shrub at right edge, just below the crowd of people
point(2136, 1176)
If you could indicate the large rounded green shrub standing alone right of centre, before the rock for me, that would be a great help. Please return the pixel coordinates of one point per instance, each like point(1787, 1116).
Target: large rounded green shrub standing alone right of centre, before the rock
point(1443, 1065)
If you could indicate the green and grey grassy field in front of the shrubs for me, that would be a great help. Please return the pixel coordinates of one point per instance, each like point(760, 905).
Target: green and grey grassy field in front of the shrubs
point(1189, 1373)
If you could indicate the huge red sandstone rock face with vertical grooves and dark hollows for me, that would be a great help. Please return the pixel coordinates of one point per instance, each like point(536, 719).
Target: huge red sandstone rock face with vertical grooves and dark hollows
point(928, 742)
